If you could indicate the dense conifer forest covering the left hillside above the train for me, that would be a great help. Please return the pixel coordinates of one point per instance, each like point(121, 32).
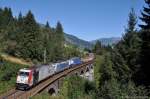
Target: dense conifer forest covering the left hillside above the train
point(23, 37)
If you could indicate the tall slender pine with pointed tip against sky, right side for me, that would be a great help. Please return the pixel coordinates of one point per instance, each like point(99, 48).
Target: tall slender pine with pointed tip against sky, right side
point(131, 42)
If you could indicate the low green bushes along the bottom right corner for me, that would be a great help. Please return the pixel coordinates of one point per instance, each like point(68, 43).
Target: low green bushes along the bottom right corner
point(113, 89)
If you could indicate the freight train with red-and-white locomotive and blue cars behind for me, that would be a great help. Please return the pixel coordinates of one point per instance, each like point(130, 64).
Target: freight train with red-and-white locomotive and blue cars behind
point(29, 77)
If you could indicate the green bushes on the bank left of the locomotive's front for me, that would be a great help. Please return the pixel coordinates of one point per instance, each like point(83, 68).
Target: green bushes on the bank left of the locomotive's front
point(8, 73)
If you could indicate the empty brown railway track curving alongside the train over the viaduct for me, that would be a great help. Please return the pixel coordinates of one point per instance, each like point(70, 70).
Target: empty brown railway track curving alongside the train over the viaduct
point(18, 94)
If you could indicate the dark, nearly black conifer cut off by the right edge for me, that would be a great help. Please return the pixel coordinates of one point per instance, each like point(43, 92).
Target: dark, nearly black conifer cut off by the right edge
point(145, 48)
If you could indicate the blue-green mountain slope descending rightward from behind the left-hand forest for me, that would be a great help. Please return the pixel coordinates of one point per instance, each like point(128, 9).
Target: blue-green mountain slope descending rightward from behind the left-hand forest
point(70, 39)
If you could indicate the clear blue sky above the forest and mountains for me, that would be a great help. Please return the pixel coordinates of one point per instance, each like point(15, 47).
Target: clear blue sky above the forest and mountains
point(86, 19)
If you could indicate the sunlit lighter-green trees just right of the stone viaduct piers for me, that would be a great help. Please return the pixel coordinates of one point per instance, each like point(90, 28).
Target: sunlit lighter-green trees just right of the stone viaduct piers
point(103, 70)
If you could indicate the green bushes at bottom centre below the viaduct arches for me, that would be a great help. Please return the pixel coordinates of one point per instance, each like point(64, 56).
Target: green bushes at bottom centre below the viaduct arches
point(76, 88)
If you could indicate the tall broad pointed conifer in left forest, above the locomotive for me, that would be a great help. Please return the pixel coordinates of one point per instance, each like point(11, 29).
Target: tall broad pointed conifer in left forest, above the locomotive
point(31, 41)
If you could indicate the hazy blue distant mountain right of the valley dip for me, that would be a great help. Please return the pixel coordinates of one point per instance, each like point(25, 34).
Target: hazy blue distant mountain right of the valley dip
point(107, 41)
